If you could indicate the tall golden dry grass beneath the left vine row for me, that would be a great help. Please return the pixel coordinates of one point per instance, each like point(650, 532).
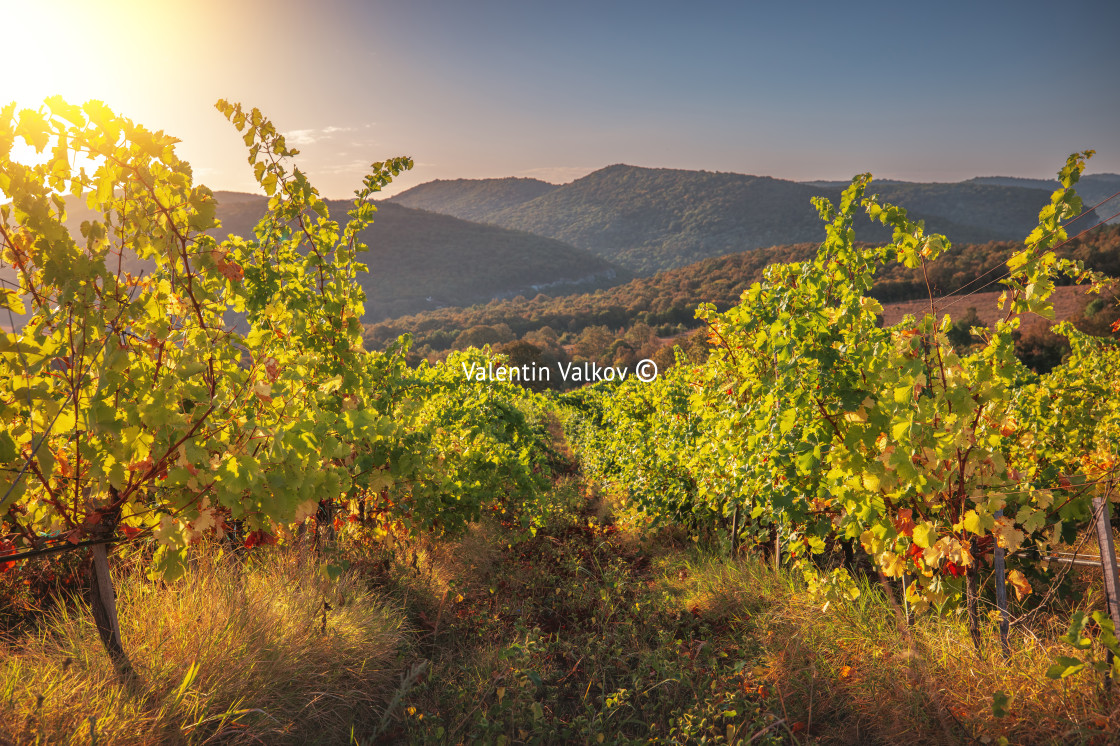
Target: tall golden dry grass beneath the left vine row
point(235, 652)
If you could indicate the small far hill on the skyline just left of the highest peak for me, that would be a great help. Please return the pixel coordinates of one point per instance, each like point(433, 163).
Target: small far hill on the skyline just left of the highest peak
point(473, 200)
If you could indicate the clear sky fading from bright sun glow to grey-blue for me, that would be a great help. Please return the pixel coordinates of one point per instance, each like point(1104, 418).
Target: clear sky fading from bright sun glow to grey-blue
point(932, 91)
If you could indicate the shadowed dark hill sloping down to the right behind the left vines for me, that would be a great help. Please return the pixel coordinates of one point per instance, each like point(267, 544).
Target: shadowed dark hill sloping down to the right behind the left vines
point(421, 260)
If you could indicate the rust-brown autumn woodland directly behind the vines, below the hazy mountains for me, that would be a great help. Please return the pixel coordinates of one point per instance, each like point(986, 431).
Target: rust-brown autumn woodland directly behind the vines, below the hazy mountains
point(637, 316)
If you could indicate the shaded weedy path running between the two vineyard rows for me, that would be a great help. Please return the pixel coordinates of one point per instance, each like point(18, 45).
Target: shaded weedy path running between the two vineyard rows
point(574, 637)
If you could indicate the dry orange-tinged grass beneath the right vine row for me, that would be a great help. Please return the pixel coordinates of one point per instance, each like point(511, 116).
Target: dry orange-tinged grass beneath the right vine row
point(858, 674)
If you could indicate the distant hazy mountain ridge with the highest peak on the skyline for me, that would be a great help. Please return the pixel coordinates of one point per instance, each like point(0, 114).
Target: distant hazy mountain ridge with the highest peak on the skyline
point(656, 219)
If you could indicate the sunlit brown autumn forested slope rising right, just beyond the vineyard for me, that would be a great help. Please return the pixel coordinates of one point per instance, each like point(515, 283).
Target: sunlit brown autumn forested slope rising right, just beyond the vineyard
point(667, 302)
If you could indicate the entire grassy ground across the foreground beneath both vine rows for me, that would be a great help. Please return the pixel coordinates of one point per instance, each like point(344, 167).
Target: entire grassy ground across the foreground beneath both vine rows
point(586, 632)
